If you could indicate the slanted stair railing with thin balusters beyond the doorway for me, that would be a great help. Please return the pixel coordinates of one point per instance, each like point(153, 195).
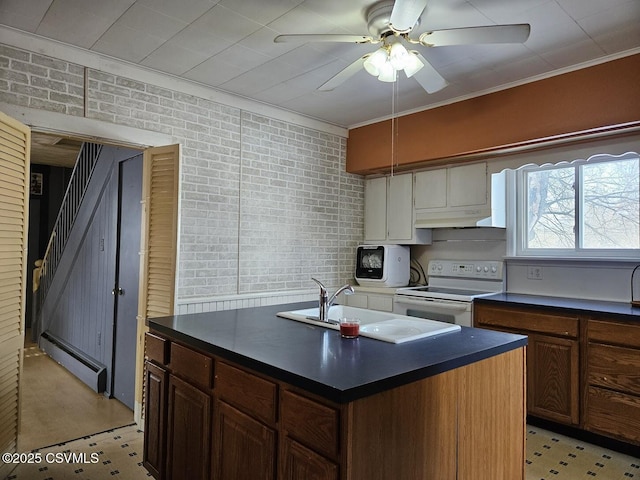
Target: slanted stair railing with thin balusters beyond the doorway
point(76, 188)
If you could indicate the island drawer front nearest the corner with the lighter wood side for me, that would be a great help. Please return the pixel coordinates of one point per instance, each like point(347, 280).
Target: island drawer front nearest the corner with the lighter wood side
point(311, 423)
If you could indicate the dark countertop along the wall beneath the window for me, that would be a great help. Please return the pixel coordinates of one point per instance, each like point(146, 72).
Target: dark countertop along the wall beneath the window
point(573, 304)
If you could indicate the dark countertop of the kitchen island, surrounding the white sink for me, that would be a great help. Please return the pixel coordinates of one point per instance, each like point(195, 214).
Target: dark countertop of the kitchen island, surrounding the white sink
point(318, 359)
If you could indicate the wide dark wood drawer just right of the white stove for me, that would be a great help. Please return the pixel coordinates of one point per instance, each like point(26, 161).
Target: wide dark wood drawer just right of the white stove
point(526, 320)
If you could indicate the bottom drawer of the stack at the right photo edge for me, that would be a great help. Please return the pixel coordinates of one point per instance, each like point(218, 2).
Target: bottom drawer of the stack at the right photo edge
point(613, 413)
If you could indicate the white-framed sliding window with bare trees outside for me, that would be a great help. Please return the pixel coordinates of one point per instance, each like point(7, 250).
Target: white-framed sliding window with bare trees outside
point(586, 208)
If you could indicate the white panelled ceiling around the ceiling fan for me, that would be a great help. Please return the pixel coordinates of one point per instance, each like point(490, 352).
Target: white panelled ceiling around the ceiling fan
point(228, 45)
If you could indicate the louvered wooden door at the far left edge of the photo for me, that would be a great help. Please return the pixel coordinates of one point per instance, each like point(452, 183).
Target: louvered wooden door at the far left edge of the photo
point(15, 141)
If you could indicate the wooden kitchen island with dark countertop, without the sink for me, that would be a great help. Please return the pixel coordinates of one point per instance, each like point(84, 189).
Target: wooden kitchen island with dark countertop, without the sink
point(244, 394)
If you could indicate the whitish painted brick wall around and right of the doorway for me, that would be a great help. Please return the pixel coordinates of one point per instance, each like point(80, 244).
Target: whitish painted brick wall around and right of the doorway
point(265, 204)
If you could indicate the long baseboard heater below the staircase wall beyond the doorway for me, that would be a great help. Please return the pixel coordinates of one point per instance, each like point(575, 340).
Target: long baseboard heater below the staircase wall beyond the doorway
point(89, 371)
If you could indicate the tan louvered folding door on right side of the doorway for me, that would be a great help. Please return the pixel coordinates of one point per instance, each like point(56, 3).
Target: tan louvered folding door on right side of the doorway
point(158, 245)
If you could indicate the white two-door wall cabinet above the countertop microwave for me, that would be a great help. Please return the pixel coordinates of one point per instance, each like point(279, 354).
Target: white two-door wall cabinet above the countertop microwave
point(389, 213)
